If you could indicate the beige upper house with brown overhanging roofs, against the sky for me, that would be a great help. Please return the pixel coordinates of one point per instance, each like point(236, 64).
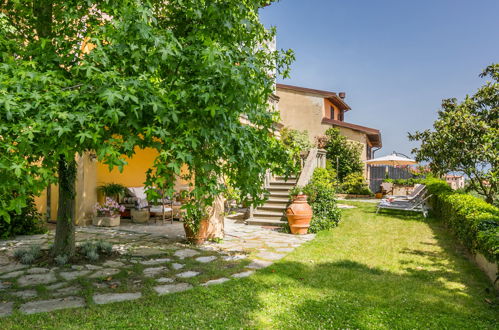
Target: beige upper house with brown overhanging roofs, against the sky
point(316, 111)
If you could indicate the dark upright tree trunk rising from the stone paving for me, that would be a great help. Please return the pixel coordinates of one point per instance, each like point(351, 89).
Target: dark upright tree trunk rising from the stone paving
point(64, 243)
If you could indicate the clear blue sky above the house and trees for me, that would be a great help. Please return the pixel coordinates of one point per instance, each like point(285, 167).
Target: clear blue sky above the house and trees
point(395, 59)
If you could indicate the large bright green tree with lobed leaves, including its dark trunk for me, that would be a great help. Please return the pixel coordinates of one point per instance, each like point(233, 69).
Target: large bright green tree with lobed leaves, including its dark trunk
point(109, 76)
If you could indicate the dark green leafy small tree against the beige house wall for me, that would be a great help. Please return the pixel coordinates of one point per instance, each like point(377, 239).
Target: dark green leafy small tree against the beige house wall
point(343, 153)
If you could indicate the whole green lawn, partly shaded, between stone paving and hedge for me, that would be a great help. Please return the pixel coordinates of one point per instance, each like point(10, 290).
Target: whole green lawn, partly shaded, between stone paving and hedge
point(387, 271)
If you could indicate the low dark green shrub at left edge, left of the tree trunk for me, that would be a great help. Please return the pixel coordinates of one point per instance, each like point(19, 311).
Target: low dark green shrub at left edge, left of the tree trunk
point(28, 222)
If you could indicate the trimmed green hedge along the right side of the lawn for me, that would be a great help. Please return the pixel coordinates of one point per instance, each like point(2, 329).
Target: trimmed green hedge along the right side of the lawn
point(473, 221)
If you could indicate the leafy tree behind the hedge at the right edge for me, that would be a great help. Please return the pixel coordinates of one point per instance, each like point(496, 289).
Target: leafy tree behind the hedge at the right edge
point(466, 138)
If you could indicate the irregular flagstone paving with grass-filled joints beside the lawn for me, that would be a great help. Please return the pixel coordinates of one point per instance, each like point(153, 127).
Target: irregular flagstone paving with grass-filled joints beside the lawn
point(145, 253)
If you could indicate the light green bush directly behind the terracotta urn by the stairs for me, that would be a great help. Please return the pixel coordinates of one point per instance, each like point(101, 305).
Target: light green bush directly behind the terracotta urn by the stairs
point(321, 197)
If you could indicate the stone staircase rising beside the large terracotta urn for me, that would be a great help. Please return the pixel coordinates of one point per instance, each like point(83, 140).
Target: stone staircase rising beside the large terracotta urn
point(272, 213)
